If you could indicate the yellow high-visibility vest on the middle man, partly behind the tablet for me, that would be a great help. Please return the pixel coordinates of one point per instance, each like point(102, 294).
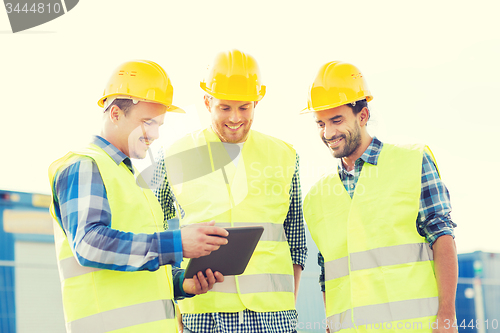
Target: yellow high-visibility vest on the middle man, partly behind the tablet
point(255, 192)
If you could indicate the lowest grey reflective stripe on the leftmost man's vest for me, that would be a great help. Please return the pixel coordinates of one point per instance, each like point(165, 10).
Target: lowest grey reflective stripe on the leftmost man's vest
point(124, 317)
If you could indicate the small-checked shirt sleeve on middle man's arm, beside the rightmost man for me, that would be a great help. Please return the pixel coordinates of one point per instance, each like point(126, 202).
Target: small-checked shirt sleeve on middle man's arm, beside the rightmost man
point(294, 222)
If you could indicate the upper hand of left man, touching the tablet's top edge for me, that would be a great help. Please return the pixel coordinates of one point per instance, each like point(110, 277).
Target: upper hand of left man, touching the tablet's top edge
point(202, 238)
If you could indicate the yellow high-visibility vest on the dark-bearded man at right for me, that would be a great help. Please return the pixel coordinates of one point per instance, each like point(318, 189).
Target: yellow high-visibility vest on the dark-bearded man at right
point(379, 272)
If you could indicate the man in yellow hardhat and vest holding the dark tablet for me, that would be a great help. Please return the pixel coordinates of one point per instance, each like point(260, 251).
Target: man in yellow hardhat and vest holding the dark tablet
point(108, 232)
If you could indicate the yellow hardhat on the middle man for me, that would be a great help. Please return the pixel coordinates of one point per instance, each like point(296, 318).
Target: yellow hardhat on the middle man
point(235, 76)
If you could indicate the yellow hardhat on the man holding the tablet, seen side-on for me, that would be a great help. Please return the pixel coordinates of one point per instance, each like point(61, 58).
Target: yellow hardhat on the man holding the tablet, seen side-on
point(140, 80)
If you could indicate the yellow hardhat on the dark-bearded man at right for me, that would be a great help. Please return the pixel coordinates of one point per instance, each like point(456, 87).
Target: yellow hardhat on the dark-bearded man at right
point(337, 83)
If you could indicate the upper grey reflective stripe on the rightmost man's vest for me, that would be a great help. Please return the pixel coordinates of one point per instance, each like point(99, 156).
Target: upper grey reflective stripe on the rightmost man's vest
point(383, 256)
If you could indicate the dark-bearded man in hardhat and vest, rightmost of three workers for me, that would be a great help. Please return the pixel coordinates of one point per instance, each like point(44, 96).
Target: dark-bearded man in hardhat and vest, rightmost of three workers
point(380, 220)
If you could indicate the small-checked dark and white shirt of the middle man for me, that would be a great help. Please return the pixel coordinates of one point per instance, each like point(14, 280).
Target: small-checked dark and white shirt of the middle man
point(246, 321)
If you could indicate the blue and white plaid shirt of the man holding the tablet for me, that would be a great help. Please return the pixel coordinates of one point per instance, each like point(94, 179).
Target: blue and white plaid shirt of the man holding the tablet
point(82, 209)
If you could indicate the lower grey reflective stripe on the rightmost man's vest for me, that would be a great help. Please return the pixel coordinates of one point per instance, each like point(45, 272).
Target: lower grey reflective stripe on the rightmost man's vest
point(384, 313)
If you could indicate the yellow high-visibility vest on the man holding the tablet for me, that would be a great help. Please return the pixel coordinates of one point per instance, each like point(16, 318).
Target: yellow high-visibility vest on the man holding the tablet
point(100, 300)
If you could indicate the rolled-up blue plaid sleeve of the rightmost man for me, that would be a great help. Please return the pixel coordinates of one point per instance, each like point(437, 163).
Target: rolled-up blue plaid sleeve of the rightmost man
point(433, 219)
